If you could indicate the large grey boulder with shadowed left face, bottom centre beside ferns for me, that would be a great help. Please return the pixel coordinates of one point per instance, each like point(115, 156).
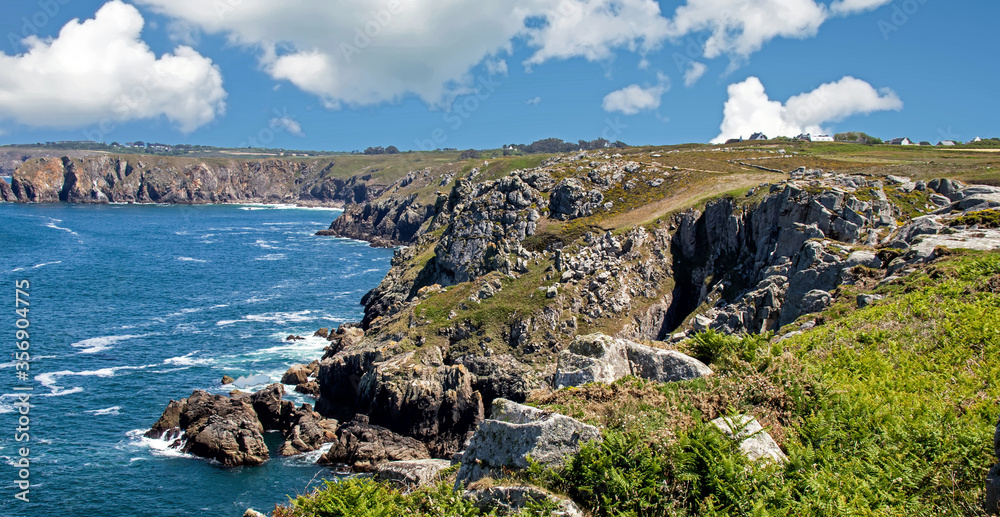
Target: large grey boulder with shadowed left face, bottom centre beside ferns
point(513, 433)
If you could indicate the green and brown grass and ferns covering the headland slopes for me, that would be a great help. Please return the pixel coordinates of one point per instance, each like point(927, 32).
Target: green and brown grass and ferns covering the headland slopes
point(888, 410)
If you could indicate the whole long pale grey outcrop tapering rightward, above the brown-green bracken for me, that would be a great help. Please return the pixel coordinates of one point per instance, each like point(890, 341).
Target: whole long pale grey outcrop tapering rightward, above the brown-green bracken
point(601, 358)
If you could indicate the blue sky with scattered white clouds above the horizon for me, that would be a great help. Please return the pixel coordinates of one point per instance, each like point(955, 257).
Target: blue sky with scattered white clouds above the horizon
point(343, 75)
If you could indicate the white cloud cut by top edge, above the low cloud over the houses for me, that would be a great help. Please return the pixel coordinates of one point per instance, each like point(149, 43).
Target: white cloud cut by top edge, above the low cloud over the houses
point(741, 27)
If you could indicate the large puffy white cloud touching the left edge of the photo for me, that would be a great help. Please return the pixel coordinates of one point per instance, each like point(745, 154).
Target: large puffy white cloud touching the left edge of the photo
point(99, 71)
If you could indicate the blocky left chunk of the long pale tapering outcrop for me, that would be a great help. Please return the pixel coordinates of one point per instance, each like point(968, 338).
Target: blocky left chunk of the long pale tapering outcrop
point(592, 358)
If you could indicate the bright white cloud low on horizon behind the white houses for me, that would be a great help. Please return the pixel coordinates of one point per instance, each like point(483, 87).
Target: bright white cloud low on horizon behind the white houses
point(749, 109)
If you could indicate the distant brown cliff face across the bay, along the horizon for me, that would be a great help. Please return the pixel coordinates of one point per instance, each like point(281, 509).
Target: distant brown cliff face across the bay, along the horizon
point(117, 179)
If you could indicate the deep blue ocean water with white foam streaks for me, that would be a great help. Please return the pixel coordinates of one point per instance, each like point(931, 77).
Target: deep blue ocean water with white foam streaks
point(132, 306)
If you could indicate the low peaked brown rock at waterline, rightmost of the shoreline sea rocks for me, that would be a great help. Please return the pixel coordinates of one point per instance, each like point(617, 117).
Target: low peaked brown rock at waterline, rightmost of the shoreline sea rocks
point(363, 446)
